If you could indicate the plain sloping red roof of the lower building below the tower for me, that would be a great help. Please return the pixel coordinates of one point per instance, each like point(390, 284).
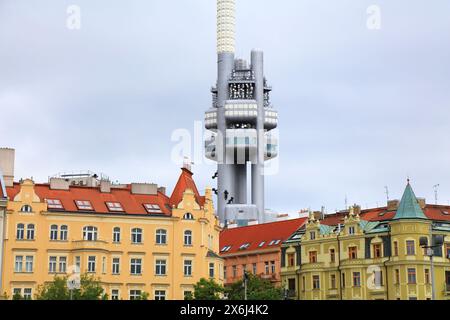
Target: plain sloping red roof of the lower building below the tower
point(256, 234)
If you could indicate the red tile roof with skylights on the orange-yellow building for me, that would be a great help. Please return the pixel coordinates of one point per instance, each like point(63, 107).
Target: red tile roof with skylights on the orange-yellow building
point(131, 203)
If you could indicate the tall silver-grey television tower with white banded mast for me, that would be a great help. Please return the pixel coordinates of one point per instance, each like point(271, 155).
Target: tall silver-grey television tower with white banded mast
point(240, 121)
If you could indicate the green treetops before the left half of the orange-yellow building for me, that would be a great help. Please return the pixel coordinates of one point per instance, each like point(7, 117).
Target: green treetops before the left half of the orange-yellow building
point(90, 289)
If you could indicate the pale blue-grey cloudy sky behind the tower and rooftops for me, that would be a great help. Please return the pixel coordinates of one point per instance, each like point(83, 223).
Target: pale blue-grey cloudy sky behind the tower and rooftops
point(359, 108)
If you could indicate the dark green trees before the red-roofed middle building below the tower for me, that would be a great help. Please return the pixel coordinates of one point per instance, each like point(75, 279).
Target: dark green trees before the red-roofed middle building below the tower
point(257, 289)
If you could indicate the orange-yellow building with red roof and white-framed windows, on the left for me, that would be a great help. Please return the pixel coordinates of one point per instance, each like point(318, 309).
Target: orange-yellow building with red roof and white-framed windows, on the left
point(133, 237)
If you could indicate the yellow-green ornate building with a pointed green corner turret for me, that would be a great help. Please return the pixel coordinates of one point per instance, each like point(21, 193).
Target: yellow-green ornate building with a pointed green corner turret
point(370, 255)
